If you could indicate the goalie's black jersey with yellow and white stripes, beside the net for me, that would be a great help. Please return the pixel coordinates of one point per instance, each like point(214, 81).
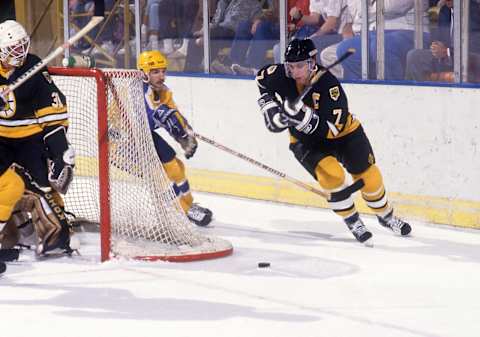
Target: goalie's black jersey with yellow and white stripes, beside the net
point(33, 106)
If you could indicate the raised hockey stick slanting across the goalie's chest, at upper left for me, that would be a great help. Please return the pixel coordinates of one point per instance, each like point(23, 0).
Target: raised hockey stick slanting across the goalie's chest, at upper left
point(94, 21)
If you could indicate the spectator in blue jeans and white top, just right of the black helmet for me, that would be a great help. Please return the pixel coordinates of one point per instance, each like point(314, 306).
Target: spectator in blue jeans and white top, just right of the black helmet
point(399, 39)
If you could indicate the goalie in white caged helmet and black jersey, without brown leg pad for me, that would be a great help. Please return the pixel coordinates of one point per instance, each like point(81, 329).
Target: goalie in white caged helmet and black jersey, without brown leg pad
point(33, 126)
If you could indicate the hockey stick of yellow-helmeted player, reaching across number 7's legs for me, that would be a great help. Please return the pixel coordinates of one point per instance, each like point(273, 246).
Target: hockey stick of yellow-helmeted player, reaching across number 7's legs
point(333, 196)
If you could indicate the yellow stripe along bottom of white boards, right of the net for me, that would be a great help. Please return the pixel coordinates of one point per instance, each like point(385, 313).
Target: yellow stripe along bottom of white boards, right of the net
point(461, 213)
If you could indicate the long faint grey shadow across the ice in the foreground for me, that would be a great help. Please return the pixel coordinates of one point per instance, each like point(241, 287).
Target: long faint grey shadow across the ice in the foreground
point(121, 304)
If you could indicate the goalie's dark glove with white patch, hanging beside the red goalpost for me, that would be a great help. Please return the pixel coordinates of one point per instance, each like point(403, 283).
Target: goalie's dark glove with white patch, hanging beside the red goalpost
point(61, 159)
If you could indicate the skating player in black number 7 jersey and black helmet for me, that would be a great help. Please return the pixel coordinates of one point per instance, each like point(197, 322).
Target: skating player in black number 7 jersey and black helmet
point(324, 135)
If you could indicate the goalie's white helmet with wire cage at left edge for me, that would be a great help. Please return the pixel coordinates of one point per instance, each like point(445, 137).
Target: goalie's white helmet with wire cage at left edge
point(14, 43)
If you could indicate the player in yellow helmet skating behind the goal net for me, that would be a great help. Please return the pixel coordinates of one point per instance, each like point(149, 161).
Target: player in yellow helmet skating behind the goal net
point(163, 113)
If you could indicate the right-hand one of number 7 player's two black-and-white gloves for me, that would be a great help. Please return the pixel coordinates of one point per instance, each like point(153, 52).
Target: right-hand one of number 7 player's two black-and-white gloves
point(301, 116)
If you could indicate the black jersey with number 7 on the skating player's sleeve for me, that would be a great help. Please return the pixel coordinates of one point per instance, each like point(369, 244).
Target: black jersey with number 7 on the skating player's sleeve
point(327, 99)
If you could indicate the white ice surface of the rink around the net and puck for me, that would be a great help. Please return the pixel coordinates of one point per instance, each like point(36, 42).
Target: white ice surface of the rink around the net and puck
point(321, 283)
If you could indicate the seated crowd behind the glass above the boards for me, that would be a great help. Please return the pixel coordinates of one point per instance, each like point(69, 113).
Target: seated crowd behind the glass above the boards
point(244, 35)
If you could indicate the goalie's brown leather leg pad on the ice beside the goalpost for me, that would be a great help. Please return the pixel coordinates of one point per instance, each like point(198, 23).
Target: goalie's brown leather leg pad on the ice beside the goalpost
point(39, 211)
